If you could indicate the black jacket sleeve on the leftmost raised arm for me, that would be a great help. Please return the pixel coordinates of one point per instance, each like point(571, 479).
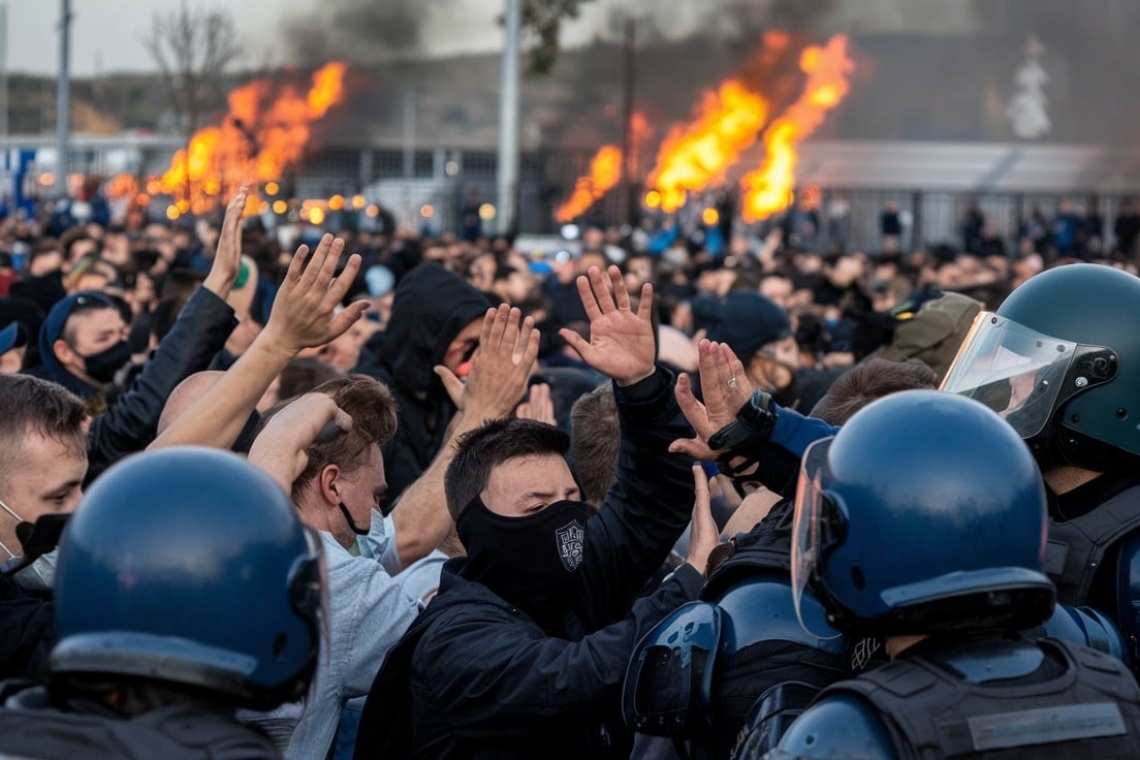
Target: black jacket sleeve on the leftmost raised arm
point(129, 426)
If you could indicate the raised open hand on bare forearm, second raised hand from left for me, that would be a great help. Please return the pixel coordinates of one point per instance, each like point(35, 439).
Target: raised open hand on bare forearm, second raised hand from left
point(305, 312)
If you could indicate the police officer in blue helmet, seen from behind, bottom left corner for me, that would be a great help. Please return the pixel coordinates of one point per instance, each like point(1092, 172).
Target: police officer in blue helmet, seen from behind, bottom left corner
point(186, 587)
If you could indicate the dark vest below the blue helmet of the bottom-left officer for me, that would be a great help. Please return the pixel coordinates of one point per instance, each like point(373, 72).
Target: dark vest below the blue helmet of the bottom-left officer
point(183, 732)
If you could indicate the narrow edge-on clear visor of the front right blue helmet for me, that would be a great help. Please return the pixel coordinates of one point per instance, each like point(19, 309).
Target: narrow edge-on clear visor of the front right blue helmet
point(817, 528)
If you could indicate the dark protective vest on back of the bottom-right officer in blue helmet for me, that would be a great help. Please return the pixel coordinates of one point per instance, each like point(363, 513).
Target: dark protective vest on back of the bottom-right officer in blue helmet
point(932, 712)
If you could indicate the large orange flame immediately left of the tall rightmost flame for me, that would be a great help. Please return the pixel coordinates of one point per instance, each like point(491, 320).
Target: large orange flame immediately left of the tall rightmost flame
point(728, 122)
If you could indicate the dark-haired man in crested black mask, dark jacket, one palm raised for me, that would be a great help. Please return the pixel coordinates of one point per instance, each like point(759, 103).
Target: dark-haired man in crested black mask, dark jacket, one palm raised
point(524, 651)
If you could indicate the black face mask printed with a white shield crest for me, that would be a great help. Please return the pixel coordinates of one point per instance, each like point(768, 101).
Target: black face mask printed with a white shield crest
point(527, 561)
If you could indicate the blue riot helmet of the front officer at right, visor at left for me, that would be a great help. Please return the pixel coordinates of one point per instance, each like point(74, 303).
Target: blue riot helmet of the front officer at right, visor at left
point(926, 513)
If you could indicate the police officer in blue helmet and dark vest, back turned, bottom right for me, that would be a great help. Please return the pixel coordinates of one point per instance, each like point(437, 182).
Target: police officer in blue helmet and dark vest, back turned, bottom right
point(923, 521)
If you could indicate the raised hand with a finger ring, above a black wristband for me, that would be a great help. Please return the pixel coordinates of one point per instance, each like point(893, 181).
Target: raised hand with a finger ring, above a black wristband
point(727, 389)
